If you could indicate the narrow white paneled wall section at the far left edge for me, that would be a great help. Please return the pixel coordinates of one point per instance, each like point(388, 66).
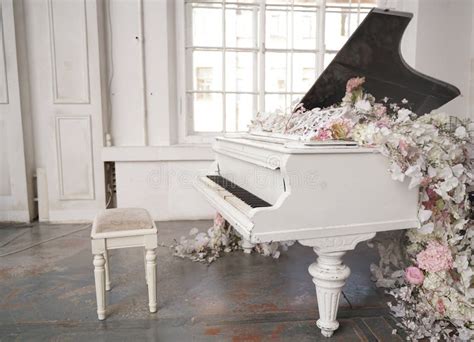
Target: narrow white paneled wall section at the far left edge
point(16, 162)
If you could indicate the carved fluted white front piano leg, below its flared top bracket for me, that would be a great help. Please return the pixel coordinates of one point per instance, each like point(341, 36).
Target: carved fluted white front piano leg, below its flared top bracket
point(329, 275)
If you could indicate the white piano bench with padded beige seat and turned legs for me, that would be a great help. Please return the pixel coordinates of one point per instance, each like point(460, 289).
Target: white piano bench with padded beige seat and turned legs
point(123, 228)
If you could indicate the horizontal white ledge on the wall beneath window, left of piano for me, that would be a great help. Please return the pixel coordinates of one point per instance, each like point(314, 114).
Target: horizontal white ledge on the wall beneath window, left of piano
point(158, 153)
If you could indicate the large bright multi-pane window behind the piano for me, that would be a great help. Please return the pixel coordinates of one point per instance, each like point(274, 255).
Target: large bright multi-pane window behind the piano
point(246, 56)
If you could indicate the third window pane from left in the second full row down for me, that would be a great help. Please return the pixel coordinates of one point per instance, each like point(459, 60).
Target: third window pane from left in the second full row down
point(276, 71)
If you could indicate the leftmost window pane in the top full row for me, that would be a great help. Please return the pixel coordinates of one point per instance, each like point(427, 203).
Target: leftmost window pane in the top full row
point(206, 21)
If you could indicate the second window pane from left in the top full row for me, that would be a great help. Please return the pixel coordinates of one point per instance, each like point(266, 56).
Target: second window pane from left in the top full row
point(240, 27)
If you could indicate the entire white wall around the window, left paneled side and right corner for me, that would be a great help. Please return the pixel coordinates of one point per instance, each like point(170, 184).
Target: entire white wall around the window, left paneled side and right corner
point(60, 106)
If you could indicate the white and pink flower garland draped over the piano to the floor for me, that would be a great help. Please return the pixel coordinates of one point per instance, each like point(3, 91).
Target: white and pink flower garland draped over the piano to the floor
point(431, 274)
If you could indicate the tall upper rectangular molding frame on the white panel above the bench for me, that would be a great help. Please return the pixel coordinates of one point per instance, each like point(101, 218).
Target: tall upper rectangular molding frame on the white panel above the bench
point(57, 98)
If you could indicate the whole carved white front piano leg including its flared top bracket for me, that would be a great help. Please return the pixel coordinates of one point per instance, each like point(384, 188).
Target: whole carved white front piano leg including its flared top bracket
point(330, 274)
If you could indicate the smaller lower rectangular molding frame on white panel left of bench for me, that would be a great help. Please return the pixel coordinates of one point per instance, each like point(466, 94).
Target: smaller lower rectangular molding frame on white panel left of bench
point(89, 194)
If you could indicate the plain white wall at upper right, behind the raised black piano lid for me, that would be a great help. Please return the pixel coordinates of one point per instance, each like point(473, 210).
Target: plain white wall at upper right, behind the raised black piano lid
point(438, 42)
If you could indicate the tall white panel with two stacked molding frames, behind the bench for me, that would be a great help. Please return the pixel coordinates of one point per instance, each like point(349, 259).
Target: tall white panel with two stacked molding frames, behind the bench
point(66, 104)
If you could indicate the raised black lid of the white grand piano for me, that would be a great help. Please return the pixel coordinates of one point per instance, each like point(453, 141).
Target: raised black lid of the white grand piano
point(373, 51)
